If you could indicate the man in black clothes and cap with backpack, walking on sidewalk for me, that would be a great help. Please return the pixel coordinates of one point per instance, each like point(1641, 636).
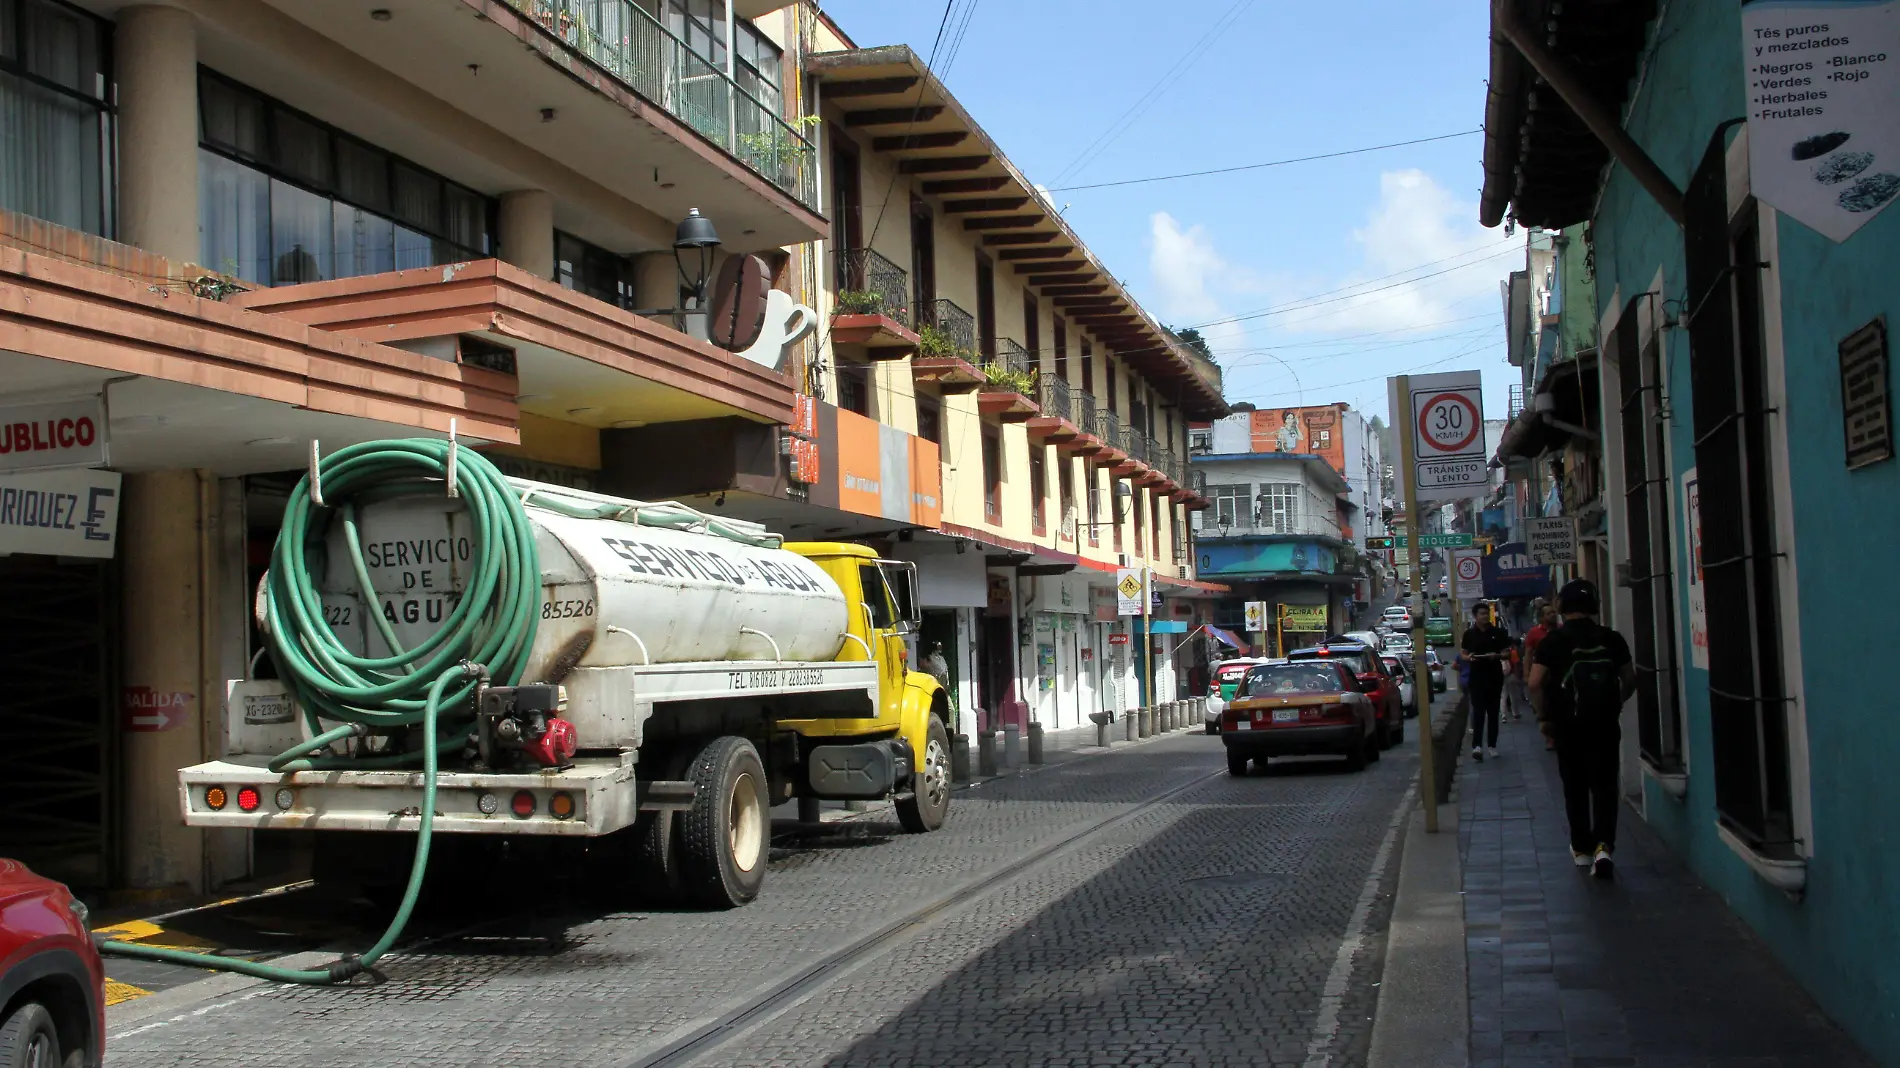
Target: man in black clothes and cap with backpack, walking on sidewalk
point(1580, 679)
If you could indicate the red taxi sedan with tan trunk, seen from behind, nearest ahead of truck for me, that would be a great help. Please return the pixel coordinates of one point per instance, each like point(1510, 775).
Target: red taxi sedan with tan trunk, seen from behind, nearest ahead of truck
point(1297, 710)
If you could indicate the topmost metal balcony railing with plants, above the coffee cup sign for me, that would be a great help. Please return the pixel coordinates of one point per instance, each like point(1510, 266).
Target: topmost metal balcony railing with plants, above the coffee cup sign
point(628, 43)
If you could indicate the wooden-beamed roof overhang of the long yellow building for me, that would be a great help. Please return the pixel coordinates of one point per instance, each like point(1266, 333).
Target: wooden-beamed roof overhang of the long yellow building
point(894, 102)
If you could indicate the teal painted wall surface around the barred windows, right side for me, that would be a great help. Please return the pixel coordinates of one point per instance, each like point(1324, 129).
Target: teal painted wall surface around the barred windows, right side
point(1844, 940)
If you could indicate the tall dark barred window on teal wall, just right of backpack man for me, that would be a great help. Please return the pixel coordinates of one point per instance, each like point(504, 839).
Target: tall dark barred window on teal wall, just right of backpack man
point(1648, 516)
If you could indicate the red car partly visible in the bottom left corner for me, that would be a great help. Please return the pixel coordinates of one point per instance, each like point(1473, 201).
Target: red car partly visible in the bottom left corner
point(52, 983)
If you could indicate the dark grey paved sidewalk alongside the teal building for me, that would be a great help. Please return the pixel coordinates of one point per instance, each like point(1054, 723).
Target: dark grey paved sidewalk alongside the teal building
point(1644, 972)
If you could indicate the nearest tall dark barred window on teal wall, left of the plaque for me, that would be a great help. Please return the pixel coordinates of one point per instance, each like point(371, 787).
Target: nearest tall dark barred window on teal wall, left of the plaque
point(1728, 368)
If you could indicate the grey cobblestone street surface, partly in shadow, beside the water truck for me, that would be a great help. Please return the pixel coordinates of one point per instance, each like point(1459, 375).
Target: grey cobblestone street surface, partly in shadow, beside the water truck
point(1130, 907)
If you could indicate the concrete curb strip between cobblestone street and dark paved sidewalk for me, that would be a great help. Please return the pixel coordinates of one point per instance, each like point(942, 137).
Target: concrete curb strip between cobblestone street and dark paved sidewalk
point(1424, 1014)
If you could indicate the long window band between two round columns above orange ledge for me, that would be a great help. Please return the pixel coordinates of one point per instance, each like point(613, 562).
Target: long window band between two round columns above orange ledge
point(286, 199)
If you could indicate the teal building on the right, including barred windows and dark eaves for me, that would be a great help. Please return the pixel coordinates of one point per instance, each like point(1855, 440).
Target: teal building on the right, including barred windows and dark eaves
point(1747, 459)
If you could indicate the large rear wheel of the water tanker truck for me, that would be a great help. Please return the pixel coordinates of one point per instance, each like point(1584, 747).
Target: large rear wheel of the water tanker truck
point(725, 839)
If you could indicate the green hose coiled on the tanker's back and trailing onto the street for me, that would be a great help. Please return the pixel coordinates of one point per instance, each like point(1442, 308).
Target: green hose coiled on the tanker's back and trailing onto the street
point(430, 687)
